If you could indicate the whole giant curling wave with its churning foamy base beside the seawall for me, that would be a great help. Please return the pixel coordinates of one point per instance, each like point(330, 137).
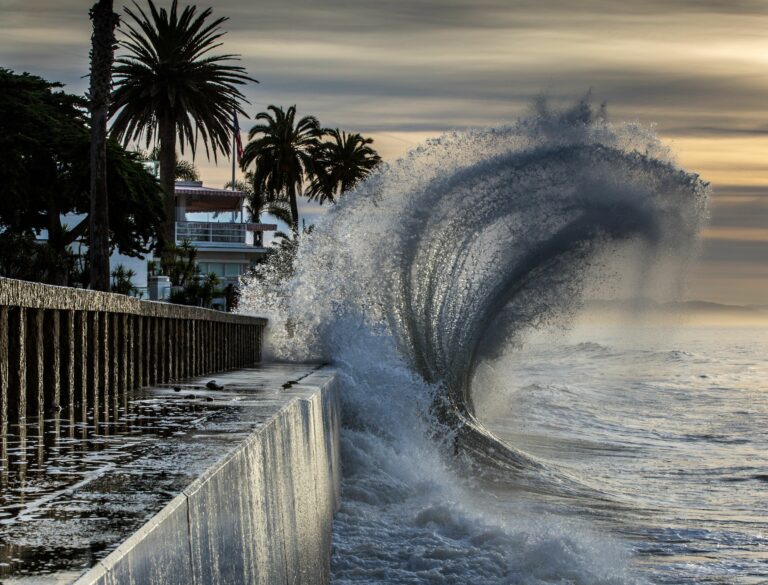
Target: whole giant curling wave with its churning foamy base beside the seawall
point(444, 261)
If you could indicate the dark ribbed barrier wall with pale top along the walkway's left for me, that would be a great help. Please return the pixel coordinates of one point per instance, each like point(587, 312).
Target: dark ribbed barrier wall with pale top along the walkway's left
point(64, 350)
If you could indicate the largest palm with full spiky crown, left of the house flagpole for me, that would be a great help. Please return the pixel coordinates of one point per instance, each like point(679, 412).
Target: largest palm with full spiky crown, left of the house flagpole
point(168, 85)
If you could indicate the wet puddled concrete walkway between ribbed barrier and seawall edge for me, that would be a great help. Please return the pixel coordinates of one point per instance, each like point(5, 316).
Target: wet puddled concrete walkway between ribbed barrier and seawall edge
point(72, 491)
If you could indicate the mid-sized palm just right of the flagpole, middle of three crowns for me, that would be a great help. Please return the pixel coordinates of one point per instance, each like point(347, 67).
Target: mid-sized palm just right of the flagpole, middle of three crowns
point(281, 151)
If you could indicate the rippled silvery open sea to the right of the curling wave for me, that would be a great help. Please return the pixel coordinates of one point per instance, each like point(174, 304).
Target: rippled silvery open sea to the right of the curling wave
point(668, 424)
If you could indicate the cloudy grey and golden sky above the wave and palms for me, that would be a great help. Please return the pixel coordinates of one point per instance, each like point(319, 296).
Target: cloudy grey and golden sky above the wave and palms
point(404, 70)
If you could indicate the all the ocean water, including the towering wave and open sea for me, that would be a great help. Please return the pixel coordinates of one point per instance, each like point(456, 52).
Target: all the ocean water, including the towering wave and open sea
point(483, 440)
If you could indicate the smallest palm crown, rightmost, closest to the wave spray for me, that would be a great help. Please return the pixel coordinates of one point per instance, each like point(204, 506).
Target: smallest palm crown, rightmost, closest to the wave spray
point(339, 164)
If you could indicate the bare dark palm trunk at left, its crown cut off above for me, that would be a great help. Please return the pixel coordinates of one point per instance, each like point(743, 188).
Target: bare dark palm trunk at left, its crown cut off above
point(102, 56)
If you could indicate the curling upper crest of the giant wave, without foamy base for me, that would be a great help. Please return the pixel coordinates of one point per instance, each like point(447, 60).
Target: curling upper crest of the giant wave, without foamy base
point(475, 237)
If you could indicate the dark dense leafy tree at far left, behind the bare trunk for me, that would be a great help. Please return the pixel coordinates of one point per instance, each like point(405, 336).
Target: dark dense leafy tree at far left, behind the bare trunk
point(45, 148)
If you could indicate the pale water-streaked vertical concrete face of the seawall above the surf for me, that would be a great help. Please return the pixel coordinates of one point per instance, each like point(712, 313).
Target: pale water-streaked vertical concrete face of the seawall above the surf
point(261, 515)
